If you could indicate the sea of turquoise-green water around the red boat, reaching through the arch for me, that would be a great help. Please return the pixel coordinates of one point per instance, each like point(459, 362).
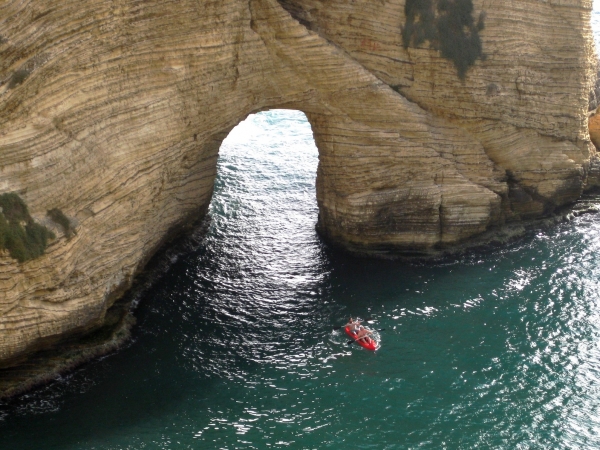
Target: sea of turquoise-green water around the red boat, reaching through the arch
point(235, 346)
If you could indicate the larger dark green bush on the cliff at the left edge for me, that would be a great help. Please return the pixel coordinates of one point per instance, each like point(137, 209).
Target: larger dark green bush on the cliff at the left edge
point(19, 234)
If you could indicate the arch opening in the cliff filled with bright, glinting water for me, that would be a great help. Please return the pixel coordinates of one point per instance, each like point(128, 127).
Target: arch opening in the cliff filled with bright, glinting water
point(264, 206)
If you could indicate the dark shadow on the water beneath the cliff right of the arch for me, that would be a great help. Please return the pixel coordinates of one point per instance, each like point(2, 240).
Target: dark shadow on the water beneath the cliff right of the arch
point(362, 284)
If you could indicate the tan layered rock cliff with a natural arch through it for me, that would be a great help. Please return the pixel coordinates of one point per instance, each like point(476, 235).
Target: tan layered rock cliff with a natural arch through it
point(434, 120)
